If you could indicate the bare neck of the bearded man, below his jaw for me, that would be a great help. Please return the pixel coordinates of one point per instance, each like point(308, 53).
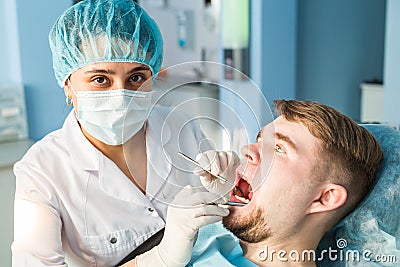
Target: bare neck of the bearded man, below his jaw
point(286, 252)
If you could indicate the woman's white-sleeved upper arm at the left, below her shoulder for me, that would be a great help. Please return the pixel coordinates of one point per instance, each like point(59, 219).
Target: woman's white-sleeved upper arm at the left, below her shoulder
point(37, 222)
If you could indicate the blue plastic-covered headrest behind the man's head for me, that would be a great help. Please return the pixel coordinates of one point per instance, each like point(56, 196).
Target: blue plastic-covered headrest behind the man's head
point(373, 228)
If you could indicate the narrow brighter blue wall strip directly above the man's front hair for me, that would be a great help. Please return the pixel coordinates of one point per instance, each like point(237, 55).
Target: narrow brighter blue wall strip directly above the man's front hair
point(278, 48)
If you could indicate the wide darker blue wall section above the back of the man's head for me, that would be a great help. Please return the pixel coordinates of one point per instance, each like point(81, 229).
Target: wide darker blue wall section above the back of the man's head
point(340, 45)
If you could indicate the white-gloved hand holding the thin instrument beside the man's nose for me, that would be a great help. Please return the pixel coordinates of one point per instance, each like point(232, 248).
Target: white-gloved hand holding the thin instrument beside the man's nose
point(222, 163)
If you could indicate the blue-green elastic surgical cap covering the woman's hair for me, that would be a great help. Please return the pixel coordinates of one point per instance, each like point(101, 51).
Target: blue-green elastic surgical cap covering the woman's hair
point(104, 31)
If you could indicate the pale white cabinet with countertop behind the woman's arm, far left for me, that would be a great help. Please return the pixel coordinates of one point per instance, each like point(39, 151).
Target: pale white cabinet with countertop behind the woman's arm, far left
point(9, 153)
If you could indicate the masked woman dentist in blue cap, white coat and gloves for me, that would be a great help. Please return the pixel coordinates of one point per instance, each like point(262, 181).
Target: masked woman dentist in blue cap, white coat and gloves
point(93, 191)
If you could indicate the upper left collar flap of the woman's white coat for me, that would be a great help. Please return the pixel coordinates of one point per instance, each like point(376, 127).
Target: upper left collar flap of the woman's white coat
point(85, 155)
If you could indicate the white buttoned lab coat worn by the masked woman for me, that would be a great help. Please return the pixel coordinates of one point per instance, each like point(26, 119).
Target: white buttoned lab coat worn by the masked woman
point(71, 199)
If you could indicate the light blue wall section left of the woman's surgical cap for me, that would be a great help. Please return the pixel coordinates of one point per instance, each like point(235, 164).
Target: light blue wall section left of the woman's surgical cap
point(45, 100)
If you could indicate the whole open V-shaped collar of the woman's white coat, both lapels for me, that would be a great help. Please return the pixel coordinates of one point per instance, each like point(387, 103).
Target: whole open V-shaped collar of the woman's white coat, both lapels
point(87, 157)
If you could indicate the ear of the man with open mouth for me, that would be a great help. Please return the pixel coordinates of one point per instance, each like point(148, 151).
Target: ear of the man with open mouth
point(331, 197)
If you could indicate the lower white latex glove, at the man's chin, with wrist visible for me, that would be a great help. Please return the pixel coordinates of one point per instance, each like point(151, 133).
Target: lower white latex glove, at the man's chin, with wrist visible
point(191, 209)
